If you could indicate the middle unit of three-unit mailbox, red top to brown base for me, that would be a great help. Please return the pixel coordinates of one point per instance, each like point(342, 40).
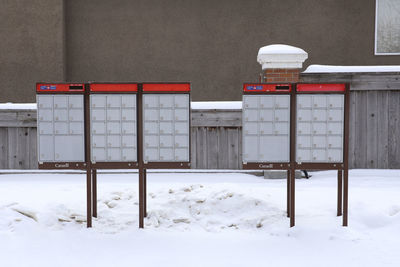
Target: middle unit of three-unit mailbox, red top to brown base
point(113, 125)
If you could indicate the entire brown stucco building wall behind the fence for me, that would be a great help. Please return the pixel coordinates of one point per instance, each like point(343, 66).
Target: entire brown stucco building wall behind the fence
point(213, 44)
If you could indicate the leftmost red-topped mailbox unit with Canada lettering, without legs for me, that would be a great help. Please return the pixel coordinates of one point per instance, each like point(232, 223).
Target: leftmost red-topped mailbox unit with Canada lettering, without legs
point(60, 124)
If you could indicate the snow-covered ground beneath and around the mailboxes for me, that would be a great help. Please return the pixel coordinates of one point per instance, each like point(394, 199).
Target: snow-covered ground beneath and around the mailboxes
point(199, 219)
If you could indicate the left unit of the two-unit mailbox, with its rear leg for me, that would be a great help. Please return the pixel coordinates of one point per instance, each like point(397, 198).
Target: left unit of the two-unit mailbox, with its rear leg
point(267, 126)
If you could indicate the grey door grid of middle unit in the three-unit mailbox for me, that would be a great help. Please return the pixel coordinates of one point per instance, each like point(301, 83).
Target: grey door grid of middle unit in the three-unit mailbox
point(113, 128)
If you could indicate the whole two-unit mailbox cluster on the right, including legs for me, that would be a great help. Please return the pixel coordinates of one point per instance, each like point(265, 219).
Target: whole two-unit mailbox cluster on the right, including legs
point(297, 127)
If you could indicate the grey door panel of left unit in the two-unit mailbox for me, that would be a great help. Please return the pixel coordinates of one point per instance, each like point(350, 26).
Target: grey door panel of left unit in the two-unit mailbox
point(266, 128)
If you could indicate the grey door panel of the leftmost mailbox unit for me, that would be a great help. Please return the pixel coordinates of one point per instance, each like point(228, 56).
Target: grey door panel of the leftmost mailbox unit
point(60, 128)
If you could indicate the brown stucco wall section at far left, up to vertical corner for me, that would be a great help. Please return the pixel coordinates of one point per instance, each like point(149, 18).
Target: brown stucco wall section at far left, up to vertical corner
point(31, 47)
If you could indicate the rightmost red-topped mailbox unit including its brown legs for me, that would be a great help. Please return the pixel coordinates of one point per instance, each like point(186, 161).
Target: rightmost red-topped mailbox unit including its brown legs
point(321, 136)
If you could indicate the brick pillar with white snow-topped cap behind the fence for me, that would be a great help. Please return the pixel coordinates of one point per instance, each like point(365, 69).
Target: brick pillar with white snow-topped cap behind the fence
point(281, 63)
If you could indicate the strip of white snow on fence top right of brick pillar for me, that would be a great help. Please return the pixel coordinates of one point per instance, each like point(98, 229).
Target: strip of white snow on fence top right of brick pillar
point(344, 69)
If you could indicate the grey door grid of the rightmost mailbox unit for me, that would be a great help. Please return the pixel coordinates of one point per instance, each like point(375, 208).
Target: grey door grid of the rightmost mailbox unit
point(319, 128)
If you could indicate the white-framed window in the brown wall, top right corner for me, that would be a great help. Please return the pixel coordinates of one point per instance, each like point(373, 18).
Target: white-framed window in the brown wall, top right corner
point(387, 27)
